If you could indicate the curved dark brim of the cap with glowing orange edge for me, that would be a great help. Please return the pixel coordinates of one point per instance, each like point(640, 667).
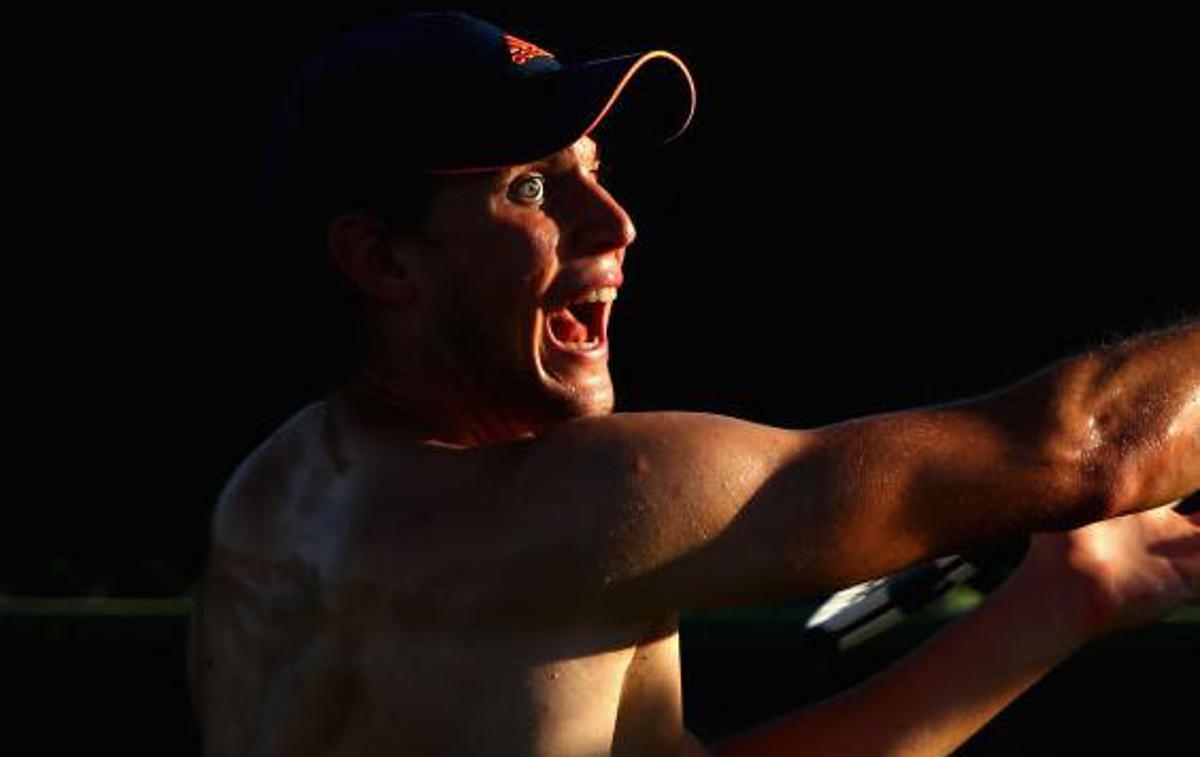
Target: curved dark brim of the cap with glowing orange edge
point(573, 103)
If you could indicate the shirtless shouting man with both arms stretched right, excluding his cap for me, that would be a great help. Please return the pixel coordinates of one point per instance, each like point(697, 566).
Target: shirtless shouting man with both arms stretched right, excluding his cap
point(461, 550)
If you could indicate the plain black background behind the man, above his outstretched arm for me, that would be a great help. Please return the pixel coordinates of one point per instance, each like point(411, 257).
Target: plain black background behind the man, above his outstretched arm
point(873, 211)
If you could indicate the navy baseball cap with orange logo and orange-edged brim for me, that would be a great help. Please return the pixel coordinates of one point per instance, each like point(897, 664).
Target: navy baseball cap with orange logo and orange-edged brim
point(447, 93)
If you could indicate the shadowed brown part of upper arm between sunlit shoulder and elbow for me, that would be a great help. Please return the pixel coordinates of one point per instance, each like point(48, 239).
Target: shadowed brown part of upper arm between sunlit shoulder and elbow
point(869, 497)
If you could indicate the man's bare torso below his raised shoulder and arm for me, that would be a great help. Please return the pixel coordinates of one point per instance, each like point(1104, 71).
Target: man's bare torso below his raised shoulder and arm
point(304, 653)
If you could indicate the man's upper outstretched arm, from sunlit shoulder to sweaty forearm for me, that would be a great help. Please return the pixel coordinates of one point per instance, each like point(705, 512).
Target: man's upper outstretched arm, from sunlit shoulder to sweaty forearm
point(657, 513)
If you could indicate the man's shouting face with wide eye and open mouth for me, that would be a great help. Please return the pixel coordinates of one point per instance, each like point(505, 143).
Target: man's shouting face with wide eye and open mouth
point(524, 267)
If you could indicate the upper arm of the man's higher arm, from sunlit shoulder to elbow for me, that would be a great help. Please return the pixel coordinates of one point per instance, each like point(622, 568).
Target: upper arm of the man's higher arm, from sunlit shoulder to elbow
point(683, 510)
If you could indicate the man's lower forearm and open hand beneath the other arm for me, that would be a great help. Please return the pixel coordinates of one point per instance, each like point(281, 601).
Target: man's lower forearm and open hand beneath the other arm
point(1070, 590)
